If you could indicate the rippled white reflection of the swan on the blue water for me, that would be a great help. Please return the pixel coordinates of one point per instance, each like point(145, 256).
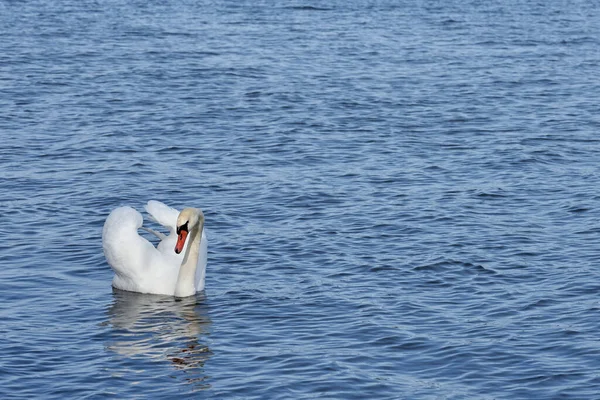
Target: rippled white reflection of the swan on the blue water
point(161, 328)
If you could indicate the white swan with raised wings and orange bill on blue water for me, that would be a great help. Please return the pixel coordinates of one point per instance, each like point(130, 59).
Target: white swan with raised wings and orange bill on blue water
point(175, 267)
